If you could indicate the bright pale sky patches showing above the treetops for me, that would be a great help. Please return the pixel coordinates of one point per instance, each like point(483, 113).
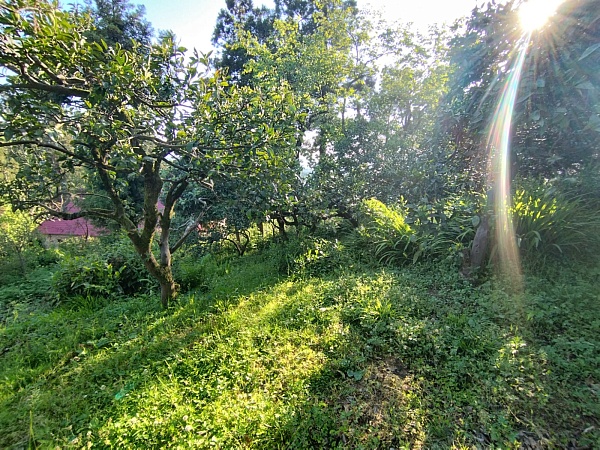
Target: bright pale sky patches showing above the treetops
point(193, 21)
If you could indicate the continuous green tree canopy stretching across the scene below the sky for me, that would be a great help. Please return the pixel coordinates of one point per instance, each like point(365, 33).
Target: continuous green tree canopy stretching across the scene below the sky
point(310, 109)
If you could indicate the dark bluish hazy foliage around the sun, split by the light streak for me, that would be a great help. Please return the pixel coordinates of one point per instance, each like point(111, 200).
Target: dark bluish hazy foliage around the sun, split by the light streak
point(555, 117)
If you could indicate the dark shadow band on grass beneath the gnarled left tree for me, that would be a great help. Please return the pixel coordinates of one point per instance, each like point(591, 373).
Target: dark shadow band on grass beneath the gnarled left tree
point(66, 372)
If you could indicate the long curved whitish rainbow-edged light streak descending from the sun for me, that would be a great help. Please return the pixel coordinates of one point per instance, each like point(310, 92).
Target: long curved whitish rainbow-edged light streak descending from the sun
point(499, 148)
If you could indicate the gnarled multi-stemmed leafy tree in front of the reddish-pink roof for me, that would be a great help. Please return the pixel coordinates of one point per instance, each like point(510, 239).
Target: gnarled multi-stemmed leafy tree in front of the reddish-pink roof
point(141, 124)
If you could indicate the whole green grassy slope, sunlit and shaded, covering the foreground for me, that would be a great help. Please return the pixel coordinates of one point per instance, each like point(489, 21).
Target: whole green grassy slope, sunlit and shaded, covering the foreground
point(360, 358)
